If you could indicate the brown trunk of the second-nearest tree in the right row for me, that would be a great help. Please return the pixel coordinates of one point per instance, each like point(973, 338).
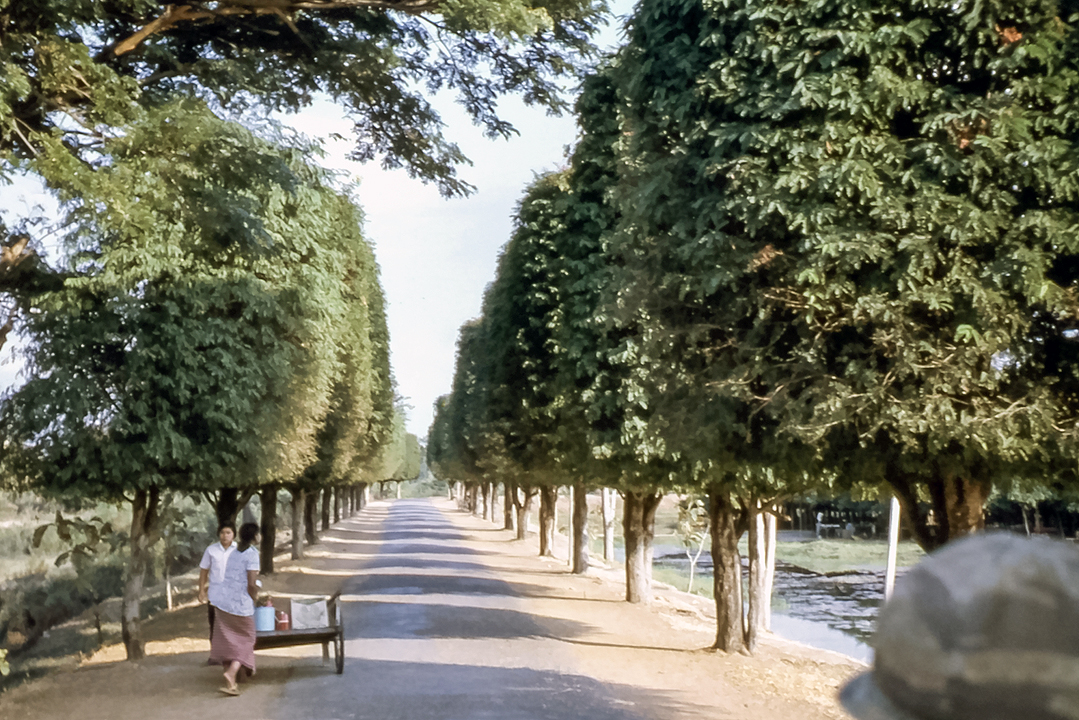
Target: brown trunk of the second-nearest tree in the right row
point(726, 523)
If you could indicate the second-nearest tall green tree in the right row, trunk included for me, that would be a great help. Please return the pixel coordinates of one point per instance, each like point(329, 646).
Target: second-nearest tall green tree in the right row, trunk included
point(698, 354)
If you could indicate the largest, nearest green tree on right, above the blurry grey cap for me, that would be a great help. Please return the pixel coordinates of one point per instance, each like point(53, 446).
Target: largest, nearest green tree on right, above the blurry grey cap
point(904, 236)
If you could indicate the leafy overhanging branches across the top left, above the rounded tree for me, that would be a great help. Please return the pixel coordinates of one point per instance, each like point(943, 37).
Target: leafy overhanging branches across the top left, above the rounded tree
point(77, 72)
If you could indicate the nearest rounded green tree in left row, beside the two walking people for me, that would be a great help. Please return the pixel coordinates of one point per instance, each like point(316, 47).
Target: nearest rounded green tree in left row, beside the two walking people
point(194, 347)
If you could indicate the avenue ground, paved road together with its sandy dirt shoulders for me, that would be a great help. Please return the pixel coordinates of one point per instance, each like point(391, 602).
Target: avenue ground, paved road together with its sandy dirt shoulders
point(447, 617)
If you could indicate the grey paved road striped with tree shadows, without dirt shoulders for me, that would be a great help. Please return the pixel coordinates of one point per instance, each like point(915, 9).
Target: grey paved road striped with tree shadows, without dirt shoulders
point(433, 632)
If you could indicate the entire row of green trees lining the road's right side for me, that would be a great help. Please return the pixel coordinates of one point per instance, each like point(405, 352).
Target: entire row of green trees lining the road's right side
point(797, 246)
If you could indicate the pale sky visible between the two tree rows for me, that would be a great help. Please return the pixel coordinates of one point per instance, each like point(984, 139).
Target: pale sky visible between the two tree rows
point(436, 255)
